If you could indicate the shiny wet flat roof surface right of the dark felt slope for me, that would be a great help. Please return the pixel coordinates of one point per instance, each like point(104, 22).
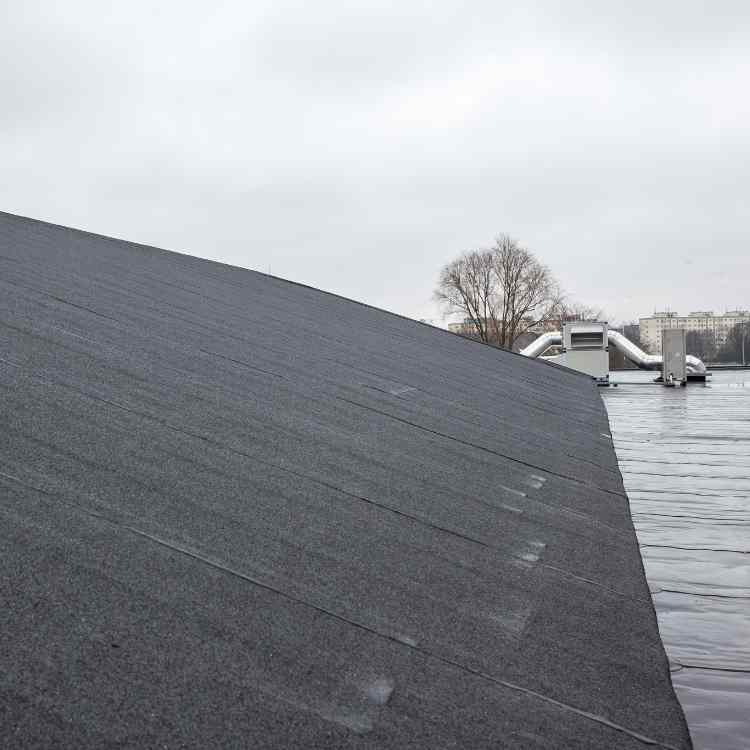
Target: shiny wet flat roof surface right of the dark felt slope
point(685, 459)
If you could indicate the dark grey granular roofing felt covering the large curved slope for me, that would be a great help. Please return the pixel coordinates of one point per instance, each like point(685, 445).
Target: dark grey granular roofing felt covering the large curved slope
point(237, 511)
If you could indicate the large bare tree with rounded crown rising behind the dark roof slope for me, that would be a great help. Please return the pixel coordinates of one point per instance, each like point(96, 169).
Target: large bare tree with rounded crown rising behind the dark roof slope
point(504, 291)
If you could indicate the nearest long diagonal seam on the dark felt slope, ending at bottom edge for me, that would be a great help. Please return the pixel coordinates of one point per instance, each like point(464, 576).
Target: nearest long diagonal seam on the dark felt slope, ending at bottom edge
point(353, 623)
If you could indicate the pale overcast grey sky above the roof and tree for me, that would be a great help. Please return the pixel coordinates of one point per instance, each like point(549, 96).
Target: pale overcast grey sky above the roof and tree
point(357, 147)
